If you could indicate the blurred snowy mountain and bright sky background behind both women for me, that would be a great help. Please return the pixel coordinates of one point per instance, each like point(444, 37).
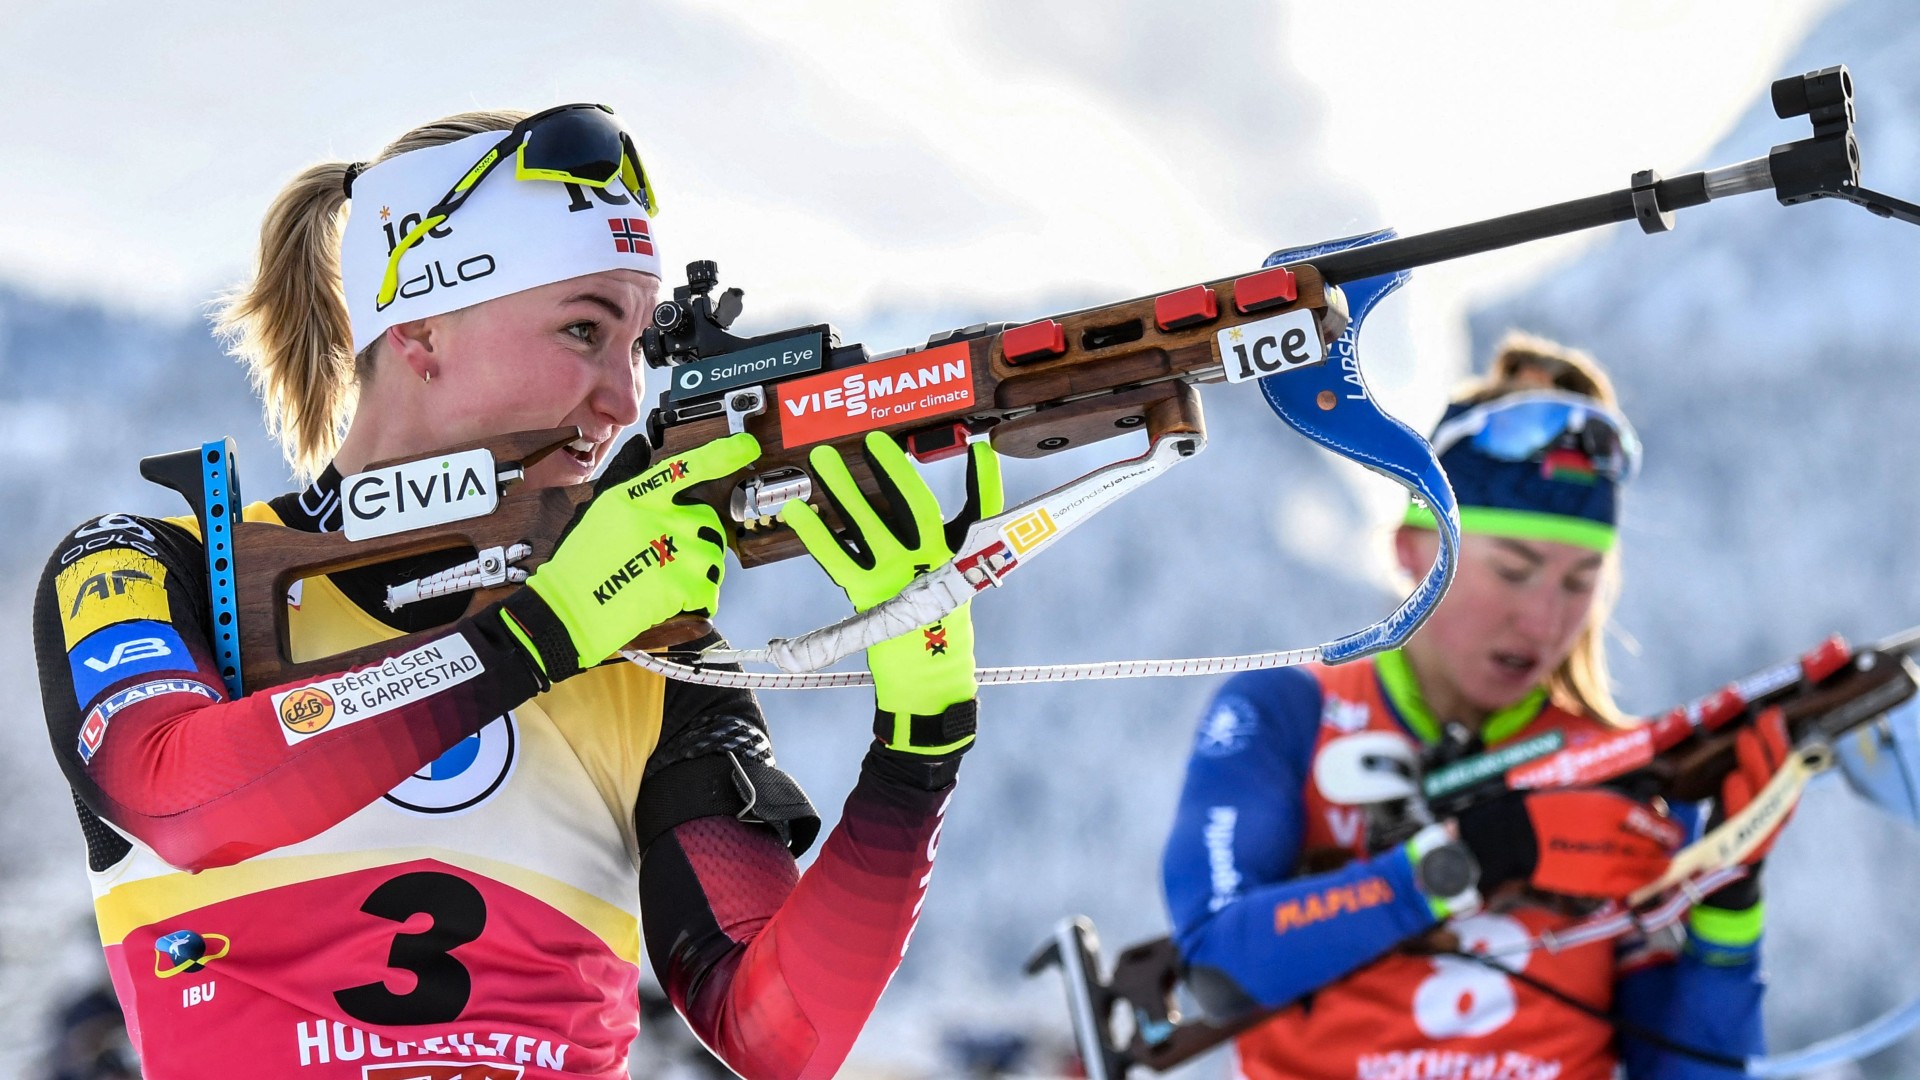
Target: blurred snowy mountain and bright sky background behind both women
point(905, 174)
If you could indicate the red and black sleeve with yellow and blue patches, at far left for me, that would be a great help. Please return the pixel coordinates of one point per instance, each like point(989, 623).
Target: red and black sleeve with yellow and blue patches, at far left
point(151, 741)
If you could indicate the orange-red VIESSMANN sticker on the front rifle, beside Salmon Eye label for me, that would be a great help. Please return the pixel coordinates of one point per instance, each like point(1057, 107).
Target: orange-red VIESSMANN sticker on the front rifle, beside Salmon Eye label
point(876, 395)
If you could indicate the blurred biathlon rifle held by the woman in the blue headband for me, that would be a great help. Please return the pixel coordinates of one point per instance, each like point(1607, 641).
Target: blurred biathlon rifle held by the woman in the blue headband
point(1854, 708)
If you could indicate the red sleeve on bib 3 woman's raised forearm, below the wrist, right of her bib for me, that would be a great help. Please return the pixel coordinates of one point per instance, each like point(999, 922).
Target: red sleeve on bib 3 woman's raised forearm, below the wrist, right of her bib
point(773, 970)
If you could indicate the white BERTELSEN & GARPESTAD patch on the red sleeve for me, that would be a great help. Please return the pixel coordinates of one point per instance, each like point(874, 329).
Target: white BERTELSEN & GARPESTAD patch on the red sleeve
point(341, 700)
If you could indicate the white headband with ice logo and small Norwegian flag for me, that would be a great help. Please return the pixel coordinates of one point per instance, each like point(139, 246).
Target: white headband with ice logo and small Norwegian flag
point(508, 237)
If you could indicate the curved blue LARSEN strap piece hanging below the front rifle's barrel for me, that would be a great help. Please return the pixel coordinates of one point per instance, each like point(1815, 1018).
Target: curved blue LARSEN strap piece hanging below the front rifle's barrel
point(1360, 431)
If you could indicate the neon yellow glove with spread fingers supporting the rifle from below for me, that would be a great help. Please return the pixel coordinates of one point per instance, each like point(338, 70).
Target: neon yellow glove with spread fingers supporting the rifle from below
point(919, 677)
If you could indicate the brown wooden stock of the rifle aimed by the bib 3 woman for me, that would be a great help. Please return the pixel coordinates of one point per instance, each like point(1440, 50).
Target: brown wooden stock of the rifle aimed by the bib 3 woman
point(1118, 370)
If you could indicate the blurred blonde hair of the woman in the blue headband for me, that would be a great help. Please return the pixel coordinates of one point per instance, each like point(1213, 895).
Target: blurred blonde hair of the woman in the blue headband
point(1529, 362)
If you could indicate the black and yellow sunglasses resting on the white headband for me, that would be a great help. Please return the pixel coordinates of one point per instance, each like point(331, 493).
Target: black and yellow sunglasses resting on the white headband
point(579, 145)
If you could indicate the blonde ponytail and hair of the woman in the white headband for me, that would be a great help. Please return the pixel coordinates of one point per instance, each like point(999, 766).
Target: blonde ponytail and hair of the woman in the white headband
point(291, 322)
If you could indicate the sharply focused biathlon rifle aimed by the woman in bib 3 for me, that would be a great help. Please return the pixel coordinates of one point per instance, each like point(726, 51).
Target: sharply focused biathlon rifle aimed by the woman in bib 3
point(1030, 389)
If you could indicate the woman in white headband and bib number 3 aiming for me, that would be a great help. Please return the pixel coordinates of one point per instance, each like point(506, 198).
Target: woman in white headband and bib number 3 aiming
point(444, 864)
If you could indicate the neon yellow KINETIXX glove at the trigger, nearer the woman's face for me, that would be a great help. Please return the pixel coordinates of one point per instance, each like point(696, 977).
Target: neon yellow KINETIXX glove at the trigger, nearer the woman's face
point(633, 558)
